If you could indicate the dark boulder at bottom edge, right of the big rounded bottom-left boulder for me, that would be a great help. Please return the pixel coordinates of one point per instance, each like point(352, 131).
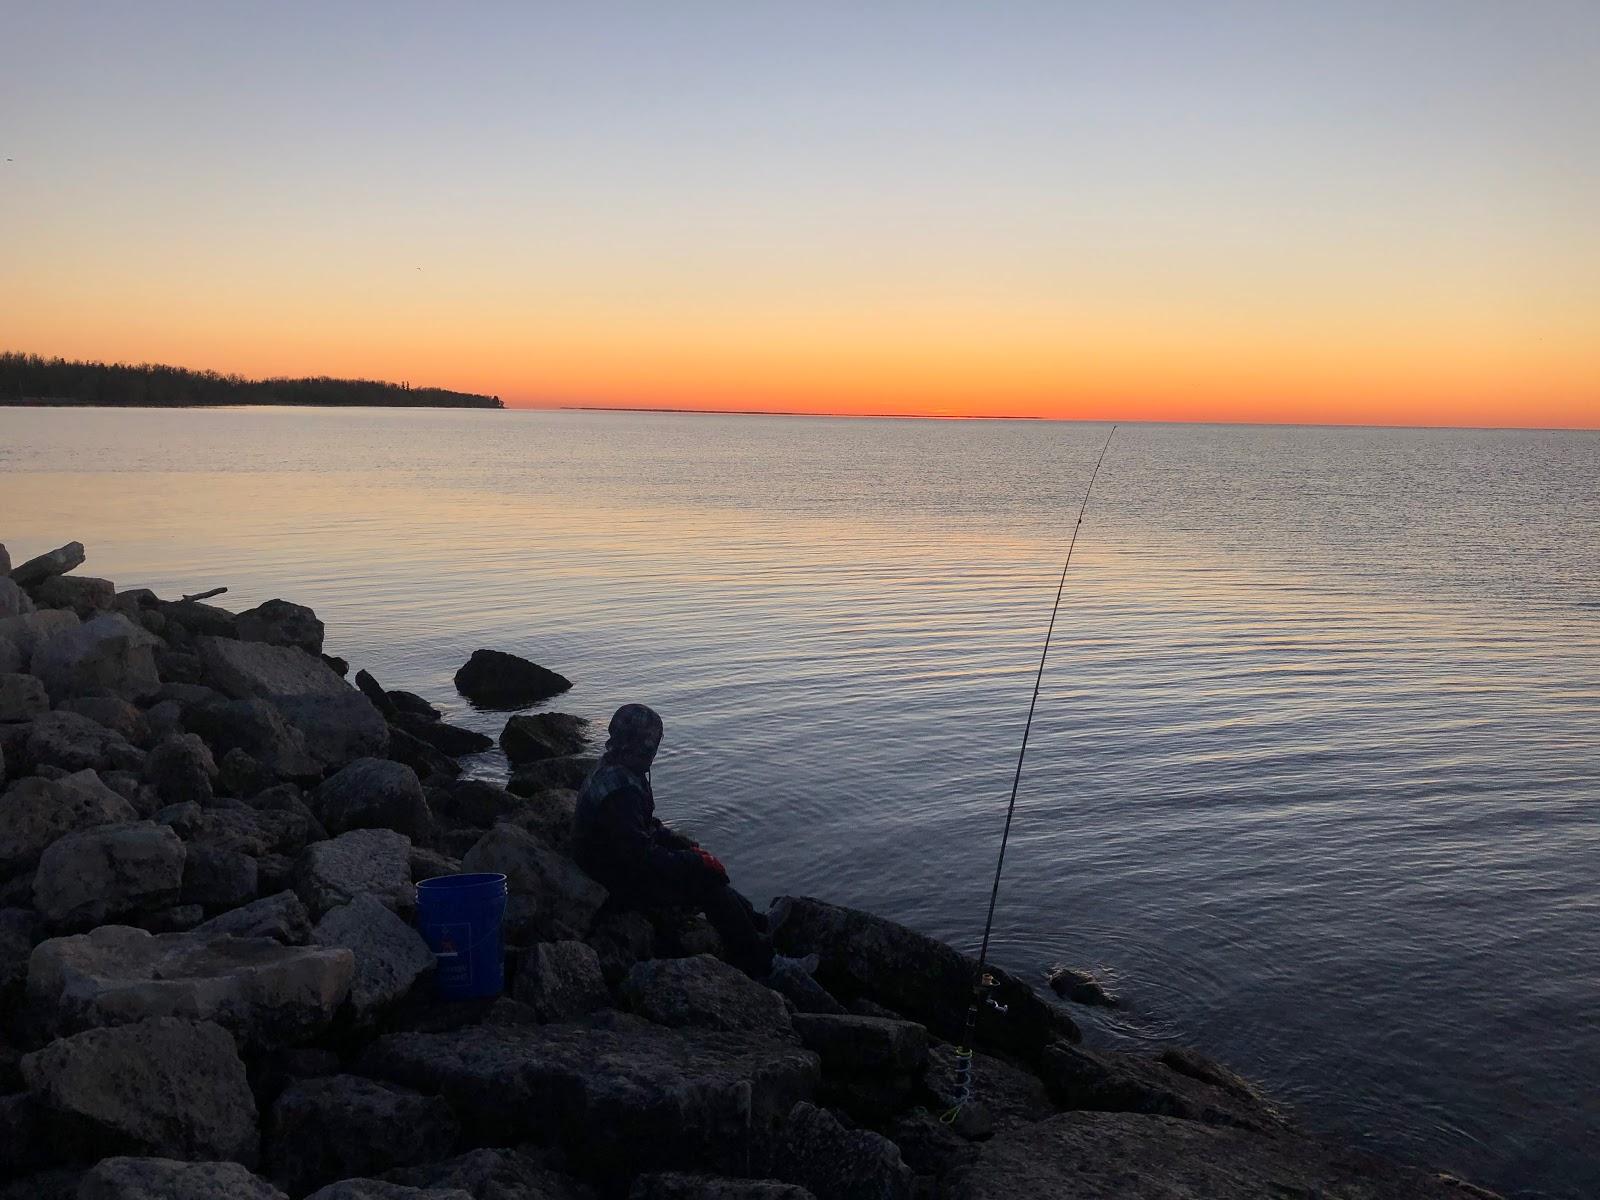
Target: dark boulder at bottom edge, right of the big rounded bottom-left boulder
point(340, 1127)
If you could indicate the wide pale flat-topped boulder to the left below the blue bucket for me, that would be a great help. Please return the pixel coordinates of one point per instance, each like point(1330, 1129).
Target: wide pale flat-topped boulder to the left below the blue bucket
point(258, 990)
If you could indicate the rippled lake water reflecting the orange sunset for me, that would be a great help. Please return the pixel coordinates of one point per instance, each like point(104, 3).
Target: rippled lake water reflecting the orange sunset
point(1316, 774)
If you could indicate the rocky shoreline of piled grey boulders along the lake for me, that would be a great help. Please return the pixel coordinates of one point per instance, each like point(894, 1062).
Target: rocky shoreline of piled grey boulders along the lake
point(210, 985)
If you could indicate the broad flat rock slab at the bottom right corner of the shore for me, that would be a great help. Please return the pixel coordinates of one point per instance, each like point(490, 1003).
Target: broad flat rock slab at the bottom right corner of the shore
point(1118, 1156)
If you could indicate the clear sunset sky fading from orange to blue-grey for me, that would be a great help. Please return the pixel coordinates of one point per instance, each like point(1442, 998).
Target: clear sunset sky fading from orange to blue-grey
point(1375, 214)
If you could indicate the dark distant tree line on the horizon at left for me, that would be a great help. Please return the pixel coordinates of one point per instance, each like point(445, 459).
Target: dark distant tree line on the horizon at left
point(33, 380)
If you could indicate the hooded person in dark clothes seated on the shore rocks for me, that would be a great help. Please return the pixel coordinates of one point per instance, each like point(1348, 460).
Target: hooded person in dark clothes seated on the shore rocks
point(618, 841)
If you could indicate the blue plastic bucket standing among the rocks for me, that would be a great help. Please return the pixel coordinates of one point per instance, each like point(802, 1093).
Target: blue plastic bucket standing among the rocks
point(462, 921)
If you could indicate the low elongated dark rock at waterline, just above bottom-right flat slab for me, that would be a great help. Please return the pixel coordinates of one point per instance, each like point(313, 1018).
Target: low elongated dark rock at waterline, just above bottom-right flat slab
point(1114, 1082)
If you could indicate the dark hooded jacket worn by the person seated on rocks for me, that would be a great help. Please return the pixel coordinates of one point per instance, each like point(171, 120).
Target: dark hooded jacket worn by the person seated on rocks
point(617, 836)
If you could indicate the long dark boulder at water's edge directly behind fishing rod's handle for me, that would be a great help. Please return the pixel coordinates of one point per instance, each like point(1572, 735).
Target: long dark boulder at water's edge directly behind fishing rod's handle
point(914, 975)
